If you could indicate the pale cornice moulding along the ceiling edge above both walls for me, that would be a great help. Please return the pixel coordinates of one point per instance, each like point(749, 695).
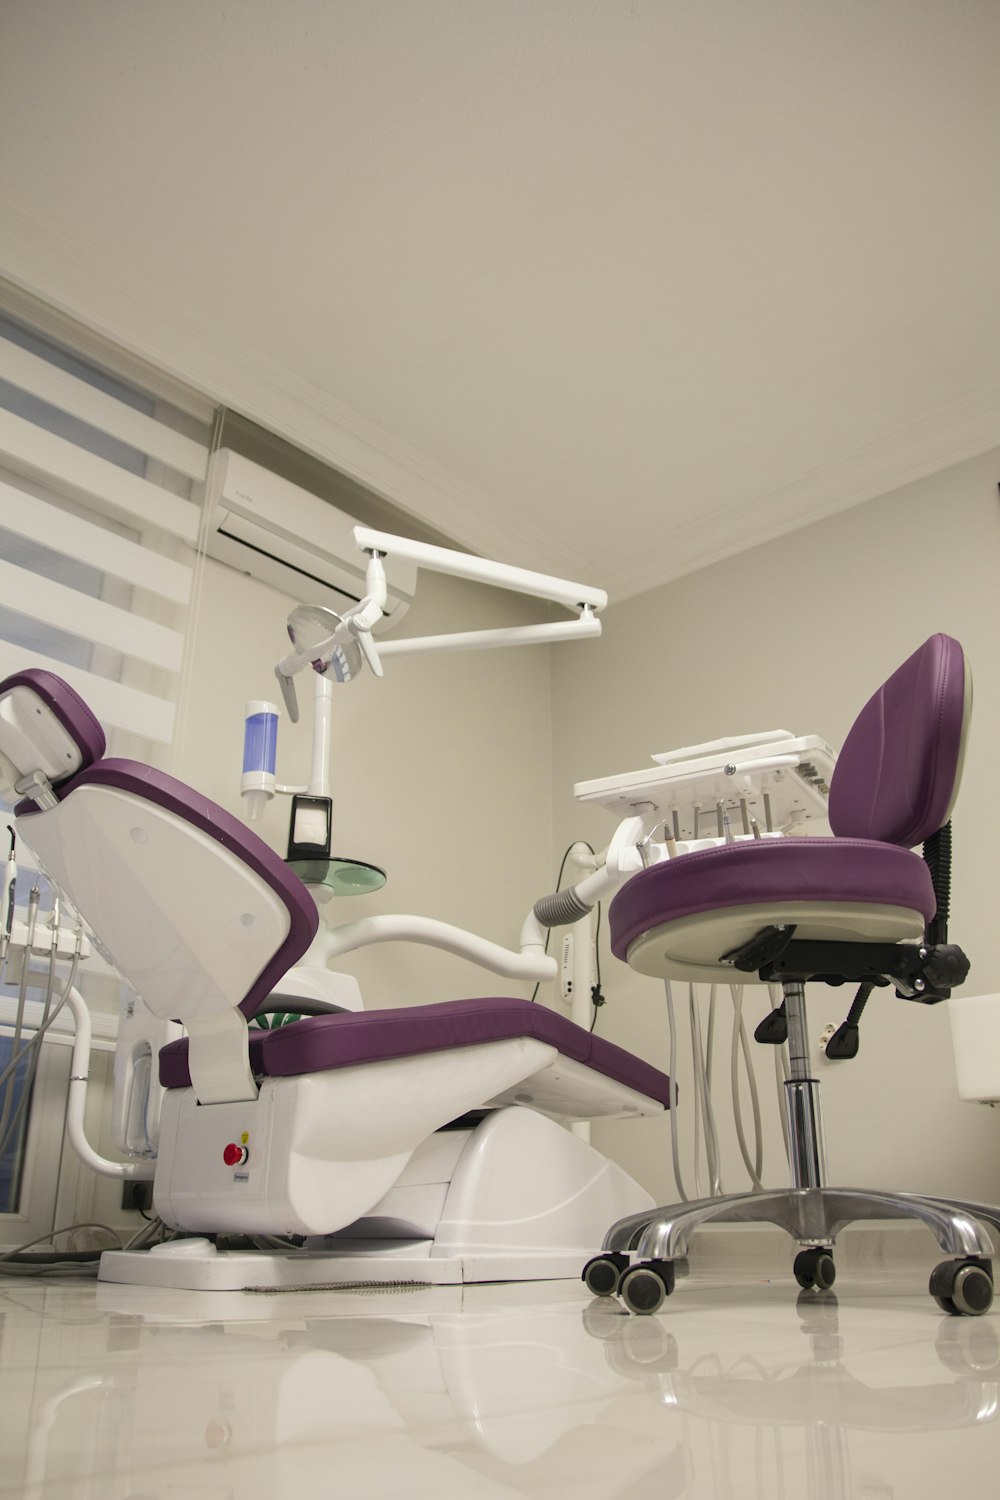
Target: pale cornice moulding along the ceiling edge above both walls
point(137, 317)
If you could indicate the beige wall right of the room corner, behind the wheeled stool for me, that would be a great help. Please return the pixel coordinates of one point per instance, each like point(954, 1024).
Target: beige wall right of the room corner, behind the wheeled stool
point(797, 635)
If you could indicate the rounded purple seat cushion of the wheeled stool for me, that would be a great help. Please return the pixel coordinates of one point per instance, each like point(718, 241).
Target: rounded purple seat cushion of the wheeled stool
point(770, 872)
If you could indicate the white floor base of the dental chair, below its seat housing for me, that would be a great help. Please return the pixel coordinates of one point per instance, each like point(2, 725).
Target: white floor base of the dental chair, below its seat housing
point(516, 1198)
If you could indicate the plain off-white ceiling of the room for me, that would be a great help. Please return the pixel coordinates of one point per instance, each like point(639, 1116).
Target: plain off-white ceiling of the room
point(603, 287)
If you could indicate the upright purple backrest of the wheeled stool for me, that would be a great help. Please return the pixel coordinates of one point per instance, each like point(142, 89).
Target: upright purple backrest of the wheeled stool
point(899, 773)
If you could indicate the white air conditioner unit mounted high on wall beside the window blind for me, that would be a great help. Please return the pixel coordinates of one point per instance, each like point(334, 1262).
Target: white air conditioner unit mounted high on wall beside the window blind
point(292, 539)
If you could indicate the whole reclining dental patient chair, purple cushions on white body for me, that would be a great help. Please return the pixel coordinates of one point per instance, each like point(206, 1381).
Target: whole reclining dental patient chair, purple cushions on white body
point(422, 1144)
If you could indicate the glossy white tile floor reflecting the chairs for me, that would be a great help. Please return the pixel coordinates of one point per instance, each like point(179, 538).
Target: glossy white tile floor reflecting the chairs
point(490, 1393)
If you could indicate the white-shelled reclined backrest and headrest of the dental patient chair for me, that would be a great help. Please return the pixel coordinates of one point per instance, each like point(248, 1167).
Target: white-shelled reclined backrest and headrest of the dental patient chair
point(196, 911)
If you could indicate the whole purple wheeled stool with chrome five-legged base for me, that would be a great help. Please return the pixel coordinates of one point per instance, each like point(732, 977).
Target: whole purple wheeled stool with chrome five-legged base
point(861, 908)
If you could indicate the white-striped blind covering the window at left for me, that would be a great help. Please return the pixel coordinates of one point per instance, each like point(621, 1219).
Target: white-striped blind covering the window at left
point(101, 512)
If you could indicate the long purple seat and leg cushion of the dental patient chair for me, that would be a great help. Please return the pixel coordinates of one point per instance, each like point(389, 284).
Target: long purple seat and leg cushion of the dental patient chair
point(323, 1043)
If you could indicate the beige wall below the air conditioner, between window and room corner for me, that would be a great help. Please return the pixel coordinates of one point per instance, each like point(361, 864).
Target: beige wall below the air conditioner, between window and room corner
point(442, 772)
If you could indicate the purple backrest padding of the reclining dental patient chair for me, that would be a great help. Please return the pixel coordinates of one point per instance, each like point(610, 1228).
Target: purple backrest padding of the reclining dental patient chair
point(199, 811)
